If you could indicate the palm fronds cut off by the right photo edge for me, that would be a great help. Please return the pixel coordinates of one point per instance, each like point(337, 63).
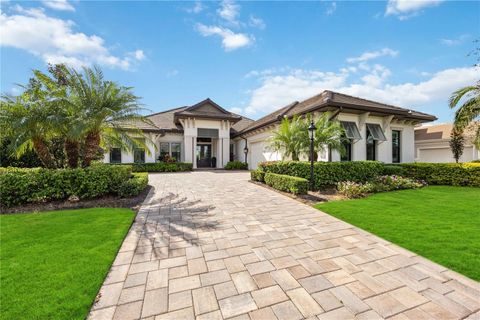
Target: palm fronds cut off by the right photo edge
point(469, 110)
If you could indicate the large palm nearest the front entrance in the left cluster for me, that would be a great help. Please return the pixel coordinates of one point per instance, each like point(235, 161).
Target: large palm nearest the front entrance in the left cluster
point(105, 110)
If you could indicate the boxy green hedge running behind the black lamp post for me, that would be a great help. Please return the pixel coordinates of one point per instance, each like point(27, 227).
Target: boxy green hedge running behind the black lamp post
point(326, 173)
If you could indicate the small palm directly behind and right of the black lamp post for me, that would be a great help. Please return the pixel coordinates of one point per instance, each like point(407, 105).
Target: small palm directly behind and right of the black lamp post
point(328, 134)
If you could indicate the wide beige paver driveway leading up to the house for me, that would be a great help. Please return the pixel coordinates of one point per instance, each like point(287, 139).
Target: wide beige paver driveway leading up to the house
point(212, 245)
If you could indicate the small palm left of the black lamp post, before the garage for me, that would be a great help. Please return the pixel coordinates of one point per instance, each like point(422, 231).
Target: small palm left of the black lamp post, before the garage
point(287, 139)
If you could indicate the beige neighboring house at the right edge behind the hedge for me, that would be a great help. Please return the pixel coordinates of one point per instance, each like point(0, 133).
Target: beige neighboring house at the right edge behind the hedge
point(432, 144)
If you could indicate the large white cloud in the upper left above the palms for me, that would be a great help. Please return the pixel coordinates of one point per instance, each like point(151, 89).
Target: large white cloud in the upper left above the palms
point(55, 41)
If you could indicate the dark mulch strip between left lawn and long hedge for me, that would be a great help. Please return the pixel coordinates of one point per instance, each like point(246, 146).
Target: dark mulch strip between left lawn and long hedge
point(133, 203)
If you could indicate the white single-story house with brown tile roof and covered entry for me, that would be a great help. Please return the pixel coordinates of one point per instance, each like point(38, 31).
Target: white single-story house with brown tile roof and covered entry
point(207, 135)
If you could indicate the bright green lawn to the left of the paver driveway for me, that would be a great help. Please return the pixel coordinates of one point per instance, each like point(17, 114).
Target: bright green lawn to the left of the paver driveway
point(53, 263)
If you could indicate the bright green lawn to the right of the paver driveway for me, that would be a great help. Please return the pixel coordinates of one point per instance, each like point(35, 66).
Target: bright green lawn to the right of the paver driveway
point(438, 222)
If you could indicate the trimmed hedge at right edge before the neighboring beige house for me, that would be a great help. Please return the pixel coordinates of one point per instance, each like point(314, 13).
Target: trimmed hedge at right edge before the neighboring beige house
point(453, 174)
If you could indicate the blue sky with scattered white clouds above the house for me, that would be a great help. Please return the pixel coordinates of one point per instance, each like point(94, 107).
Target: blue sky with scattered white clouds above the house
point(251, 57)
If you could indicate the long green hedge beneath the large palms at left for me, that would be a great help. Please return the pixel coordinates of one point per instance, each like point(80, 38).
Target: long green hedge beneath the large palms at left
point(67, 187)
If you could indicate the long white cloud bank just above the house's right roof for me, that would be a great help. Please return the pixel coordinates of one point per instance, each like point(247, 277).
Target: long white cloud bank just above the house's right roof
point(278, 89)
